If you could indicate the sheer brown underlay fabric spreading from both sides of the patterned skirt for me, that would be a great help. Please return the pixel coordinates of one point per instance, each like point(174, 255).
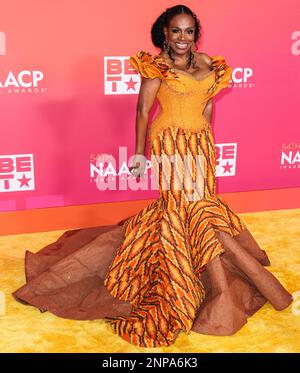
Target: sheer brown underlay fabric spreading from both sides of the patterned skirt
point(66, 279)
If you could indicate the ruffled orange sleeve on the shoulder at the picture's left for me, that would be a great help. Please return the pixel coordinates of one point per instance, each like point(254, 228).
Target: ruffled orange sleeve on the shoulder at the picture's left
point(151, 66)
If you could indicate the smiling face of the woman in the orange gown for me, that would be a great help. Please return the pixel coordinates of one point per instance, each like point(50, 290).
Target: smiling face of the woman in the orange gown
point(181, 33)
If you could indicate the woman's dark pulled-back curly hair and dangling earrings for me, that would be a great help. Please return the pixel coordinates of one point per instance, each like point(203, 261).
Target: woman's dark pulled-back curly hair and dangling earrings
point(157, 29)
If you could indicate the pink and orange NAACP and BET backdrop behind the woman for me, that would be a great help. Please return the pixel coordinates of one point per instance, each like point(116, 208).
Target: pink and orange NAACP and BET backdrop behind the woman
point(68, 97)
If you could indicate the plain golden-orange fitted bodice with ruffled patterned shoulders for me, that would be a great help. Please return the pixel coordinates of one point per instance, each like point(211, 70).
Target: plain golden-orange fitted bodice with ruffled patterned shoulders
point(181, 96)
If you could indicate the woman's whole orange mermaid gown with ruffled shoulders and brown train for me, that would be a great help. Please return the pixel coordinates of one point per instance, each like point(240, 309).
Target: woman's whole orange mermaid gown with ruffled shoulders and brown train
point(186, 262)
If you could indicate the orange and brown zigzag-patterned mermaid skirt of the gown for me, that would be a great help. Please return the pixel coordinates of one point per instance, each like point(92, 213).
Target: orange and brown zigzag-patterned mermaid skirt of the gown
point(167, 244)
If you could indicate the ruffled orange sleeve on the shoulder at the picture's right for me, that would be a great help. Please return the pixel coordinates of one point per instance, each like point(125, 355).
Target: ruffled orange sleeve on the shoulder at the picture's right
point(222, 75)
